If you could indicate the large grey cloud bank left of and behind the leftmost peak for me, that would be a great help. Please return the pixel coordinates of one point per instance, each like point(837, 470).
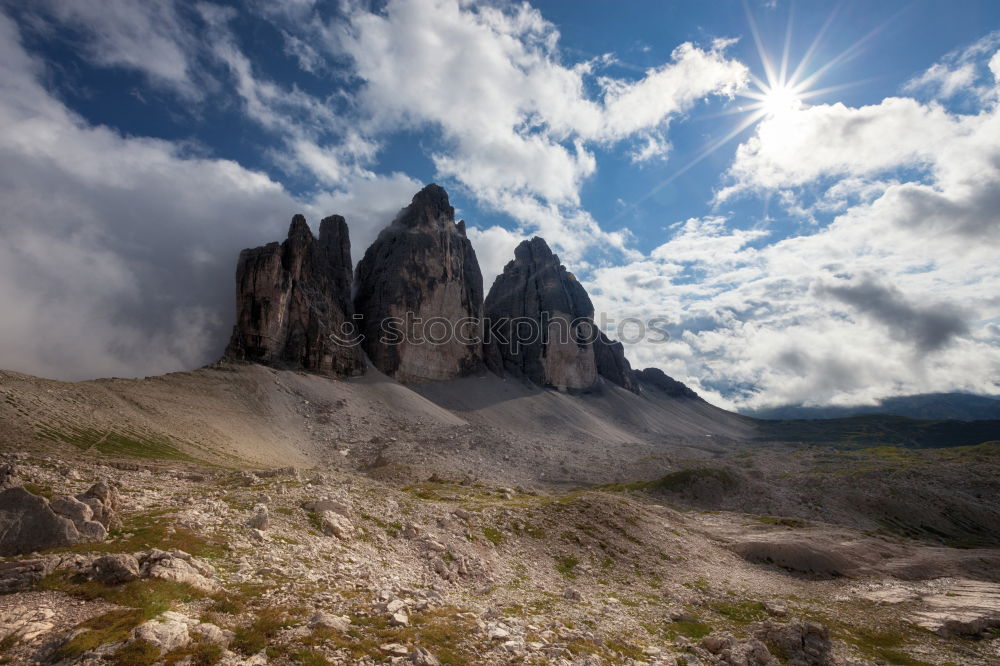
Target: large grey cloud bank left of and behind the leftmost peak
point(117, 253)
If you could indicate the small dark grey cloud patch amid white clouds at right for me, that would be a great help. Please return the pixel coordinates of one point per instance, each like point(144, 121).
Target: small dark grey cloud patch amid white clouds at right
point(929, 327)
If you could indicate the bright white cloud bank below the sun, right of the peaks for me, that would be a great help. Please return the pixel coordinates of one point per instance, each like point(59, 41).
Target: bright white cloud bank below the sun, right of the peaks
point(856, 309)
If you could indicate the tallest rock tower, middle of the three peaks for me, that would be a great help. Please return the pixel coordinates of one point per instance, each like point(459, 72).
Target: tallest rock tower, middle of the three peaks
point(420, 294)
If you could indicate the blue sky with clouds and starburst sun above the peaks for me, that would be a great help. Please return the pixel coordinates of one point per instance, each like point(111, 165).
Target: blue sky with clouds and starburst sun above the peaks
point(805, 195)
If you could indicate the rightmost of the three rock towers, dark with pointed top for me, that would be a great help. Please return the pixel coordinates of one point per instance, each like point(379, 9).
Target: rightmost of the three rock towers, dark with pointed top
point(543, 321)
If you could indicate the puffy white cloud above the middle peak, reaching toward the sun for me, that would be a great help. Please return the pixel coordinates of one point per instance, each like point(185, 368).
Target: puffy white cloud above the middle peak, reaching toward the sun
point(517, 123)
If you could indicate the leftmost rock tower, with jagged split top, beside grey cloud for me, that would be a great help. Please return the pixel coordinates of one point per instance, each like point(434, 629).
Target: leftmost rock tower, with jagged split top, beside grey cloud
point(293, 302)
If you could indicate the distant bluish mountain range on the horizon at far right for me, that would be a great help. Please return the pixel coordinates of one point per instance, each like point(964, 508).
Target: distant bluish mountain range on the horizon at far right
point(956, 406)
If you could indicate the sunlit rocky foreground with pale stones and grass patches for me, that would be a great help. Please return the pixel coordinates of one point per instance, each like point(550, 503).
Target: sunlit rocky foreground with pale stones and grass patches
point(327, 565)
